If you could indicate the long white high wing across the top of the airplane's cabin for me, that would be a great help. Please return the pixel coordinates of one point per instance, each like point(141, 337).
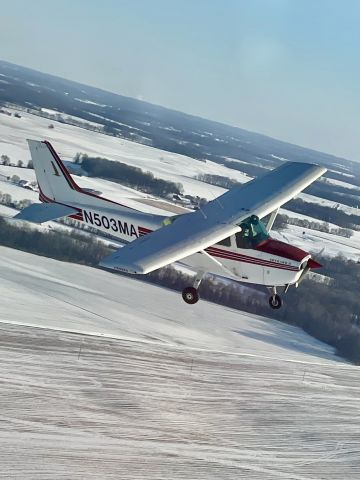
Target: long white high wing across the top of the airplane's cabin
point(220, 218)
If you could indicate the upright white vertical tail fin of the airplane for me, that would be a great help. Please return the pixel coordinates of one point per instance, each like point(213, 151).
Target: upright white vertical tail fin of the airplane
point(55, 182)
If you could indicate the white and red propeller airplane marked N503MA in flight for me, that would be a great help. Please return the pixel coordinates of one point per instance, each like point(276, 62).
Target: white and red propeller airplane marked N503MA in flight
point(225, 237)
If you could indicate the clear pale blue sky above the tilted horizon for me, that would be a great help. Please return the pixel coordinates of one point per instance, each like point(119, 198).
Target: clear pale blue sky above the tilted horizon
point(287, 68)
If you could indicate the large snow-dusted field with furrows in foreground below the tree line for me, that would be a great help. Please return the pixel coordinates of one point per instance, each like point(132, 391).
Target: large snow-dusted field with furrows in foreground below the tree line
point(151, 388)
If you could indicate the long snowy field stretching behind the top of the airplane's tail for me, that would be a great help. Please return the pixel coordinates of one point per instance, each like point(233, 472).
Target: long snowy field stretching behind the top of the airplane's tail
point(69, 140)
